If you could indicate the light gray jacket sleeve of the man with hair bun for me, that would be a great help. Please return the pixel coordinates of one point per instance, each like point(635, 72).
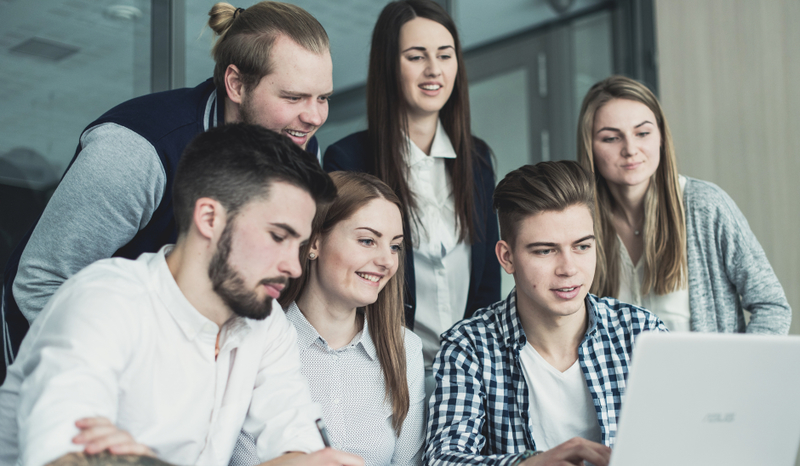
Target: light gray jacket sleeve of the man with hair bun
point(105, 198)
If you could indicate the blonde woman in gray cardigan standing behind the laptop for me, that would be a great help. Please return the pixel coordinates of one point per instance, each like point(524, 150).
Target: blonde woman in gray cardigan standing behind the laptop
point(677, 246)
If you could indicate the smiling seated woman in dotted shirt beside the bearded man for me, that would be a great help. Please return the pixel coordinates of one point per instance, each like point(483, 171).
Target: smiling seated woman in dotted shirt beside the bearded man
point(364, 368)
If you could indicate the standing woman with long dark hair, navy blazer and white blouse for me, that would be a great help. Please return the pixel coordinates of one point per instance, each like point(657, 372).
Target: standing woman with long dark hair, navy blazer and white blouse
point(419, 143)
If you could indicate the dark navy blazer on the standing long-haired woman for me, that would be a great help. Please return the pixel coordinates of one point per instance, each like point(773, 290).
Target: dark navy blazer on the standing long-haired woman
point(350, 154)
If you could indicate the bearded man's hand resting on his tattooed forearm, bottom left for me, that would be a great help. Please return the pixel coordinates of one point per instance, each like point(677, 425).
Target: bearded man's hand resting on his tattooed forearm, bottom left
point(99, 434)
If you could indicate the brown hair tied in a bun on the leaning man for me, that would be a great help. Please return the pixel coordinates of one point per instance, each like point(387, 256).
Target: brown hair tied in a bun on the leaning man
point(246, 37)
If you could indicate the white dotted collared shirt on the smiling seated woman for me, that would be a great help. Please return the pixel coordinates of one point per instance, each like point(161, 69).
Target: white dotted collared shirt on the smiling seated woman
point(348, 382)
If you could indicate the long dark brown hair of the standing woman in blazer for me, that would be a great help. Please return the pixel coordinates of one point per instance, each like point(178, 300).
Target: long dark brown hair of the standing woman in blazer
point(387, 113)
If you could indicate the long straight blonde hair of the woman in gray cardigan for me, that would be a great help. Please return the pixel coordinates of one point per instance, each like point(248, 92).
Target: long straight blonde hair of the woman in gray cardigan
point(665, 266)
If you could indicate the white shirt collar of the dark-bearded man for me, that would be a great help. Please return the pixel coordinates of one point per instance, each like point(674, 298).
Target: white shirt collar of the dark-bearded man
point(188, 318)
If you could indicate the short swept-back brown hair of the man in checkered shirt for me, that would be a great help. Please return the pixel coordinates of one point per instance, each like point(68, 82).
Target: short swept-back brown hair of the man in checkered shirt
point(533, 189)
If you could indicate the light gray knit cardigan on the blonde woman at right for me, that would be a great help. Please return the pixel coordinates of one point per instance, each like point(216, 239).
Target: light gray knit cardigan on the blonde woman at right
point(728, 270)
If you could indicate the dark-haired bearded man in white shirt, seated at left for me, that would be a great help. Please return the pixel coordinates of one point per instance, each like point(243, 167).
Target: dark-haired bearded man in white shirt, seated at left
point(168, 357)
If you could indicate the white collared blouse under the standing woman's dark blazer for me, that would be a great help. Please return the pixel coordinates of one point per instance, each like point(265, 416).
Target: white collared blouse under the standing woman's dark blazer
point(442, 265)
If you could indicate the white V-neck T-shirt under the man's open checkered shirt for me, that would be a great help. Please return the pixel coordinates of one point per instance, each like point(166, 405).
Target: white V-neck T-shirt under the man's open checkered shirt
point(561, 405)
